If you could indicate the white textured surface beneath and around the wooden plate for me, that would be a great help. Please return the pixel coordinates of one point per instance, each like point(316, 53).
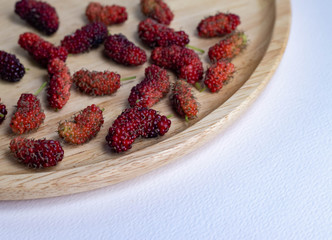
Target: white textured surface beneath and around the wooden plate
point(268, 176)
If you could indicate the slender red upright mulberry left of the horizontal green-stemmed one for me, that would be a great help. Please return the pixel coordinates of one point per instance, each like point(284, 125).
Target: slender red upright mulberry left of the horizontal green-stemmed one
point(58, 92)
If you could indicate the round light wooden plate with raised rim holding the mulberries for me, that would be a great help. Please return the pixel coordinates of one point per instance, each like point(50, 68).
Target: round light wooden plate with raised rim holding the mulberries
point(93, 165)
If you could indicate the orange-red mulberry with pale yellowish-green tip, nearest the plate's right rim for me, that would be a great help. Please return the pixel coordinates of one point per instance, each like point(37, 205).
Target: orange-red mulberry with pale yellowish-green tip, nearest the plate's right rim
point(228, 48)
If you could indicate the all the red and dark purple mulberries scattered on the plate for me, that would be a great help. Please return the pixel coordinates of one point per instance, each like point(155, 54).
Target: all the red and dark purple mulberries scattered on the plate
point(170, 50)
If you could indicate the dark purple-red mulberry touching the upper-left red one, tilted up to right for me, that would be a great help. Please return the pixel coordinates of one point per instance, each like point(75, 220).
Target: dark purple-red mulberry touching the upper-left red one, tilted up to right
point(88, 37)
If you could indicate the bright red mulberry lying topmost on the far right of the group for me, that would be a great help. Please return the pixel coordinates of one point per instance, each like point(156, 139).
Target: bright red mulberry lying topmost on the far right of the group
point(218, 25)
